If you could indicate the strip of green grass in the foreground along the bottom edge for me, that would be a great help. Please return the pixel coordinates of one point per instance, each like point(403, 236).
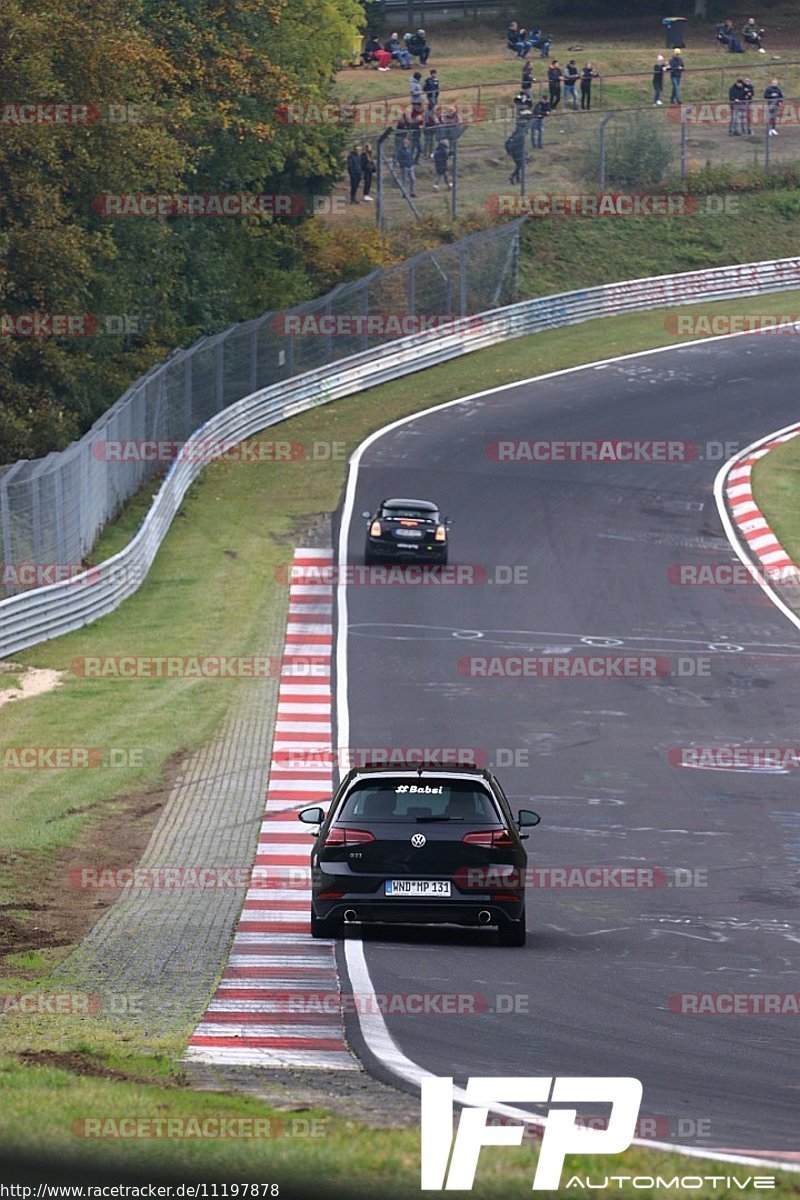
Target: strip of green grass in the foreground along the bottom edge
point(46, 1111)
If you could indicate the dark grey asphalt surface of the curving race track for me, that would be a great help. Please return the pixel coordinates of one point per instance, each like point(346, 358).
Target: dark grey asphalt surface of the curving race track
point(591, 994)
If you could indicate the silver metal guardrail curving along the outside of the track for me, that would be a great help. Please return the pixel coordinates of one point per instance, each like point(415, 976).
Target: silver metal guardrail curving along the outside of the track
point(51, 611)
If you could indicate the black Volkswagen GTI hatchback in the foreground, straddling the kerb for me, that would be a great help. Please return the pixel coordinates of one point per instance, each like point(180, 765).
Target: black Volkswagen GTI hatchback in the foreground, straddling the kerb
point(419, 847)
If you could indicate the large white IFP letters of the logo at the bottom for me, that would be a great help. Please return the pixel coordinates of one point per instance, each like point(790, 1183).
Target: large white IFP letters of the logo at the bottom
point(562, 1135)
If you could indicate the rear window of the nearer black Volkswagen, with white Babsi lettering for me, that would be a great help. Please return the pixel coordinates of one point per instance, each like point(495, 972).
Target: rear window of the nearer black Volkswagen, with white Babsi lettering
point(405, 801)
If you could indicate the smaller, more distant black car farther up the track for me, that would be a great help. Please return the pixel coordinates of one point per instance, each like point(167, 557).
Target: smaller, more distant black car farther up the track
point(410, 531)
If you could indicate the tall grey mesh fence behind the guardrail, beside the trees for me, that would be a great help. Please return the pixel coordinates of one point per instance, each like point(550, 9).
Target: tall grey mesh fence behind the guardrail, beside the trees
point(52, 509)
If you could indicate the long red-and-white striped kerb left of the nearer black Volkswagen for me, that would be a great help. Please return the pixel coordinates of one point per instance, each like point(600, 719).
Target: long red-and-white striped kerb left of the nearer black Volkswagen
point(279, 1003)
